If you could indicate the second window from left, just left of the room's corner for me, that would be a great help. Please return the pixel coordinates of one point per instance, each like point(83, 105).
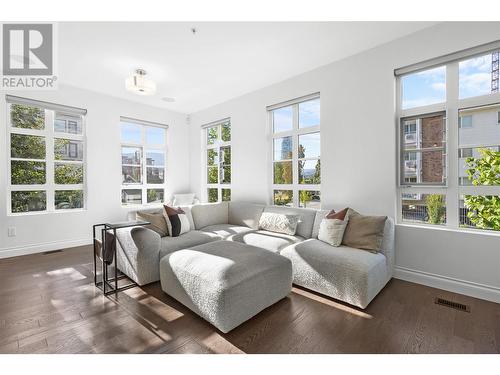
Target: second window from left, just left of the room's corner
point(143, 153)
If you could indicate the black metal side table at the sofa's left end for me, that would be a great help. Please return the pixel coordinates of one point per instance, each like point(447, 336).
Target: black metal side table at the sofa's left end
point(106, 284)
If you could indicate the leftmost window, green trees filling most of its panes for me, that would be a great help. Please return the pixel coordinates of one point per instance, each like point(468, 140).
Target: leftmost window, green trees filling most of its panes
point(46, 157)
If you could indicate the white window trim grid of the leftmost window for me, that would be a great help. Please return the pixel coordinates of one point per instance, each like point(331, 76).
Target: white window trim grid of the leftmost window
point(50, 187)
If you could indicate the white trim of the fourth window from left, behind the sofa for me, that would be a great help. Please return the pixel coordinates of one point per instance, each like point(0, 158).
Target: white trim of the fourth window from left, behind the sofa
point(294, 133)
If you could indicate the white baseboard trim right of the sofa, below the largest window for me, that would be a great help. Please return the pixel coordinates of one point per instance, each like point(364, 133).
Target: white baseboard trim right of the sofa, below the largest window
point(477, 290)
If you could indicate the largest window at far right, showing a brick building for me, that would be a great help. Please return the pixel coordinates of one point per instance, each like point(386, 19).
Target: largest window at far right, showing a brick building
point(449, 132)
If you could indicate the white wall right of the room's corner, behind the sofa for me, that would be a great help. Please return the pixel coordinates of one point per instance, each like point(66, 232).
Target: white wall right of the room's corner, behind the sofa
point(358, 152)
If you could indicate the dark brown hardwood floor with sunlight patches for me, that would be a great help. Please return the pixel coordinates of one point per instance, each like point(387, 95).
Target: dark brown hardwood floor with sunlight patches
point(48, 304)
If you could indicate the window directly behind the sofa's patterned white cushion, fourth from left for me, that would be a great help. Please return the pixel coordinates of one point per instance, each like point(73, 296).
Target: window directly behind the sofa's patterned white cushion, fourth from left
point(296, 166)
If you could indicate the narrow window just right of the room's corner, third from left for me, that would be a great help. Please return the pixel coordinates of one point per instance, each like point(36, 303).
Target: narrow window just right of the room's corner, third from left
point(217, 156)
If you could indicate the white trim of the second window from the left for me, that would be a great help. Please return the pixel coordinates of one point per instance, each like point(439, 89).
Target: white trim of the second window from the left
point(144, 186)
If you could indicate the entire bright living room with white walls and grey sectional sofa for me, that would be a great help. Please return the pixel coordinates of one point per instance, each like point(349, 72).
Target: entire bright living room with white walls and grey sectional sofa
point(305, 187)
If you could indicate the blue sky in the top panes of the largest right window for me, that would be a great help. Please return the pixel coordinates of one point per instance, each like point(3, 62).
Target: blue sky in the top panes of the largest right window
point(429, 86)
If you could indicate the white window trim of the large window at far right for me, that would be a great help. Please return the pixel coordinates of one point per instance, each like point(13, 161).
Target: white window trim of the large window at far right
point(451, 189)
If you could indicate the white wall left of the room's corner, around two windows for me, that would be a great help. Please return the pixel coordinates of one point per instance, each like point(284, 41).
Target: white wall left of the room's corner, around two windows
point(41, 232)
